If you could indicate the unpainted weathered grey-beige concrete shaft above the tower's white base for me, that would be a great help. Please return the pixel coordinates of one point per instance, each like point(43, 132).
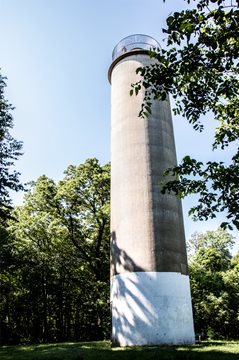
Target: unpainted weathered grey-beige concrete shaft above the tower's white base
point(146, 225)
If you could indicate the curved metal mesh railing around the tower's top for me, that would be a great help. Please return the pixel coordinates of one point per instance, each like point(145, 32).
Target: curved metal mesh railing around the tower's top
point(133, 42)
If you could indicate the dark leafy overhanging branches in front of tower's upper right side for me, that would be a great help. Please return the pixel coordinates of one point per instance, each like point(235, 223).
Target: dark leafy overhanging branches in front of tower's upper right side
point(199, 68)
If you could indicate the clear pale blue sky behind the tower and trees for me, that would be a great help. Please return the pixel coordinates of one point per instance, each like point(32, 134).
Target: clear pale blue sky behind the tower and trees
point(56, 55)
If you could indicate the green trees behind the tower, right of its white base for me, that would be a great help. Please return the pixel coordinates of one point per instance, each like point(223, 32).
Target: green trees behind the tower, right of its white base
point(214, 275)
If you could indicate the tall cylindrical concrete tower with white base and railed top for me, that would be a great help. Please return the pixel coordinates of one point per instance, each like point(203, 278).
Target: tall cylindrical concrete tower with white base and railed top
point(150, 290)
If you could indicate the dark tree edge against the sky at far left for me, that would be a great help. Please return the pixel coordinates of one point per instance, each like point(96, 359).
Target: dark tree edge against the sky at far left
point(10, 150)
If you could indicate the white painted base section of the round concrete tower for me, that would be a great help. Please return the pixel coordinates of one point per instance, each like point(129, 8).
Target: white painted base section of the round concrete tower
point(151, 308)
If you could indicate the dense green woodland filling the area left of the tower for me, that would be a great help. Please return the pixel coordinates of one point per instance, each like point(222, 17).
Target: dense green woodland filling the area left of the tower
point(55, 260)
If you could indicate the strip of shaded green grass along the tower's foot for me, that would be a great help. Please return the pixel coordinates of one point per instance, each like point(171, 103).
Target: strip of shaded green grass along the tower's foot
point(101, 350)
